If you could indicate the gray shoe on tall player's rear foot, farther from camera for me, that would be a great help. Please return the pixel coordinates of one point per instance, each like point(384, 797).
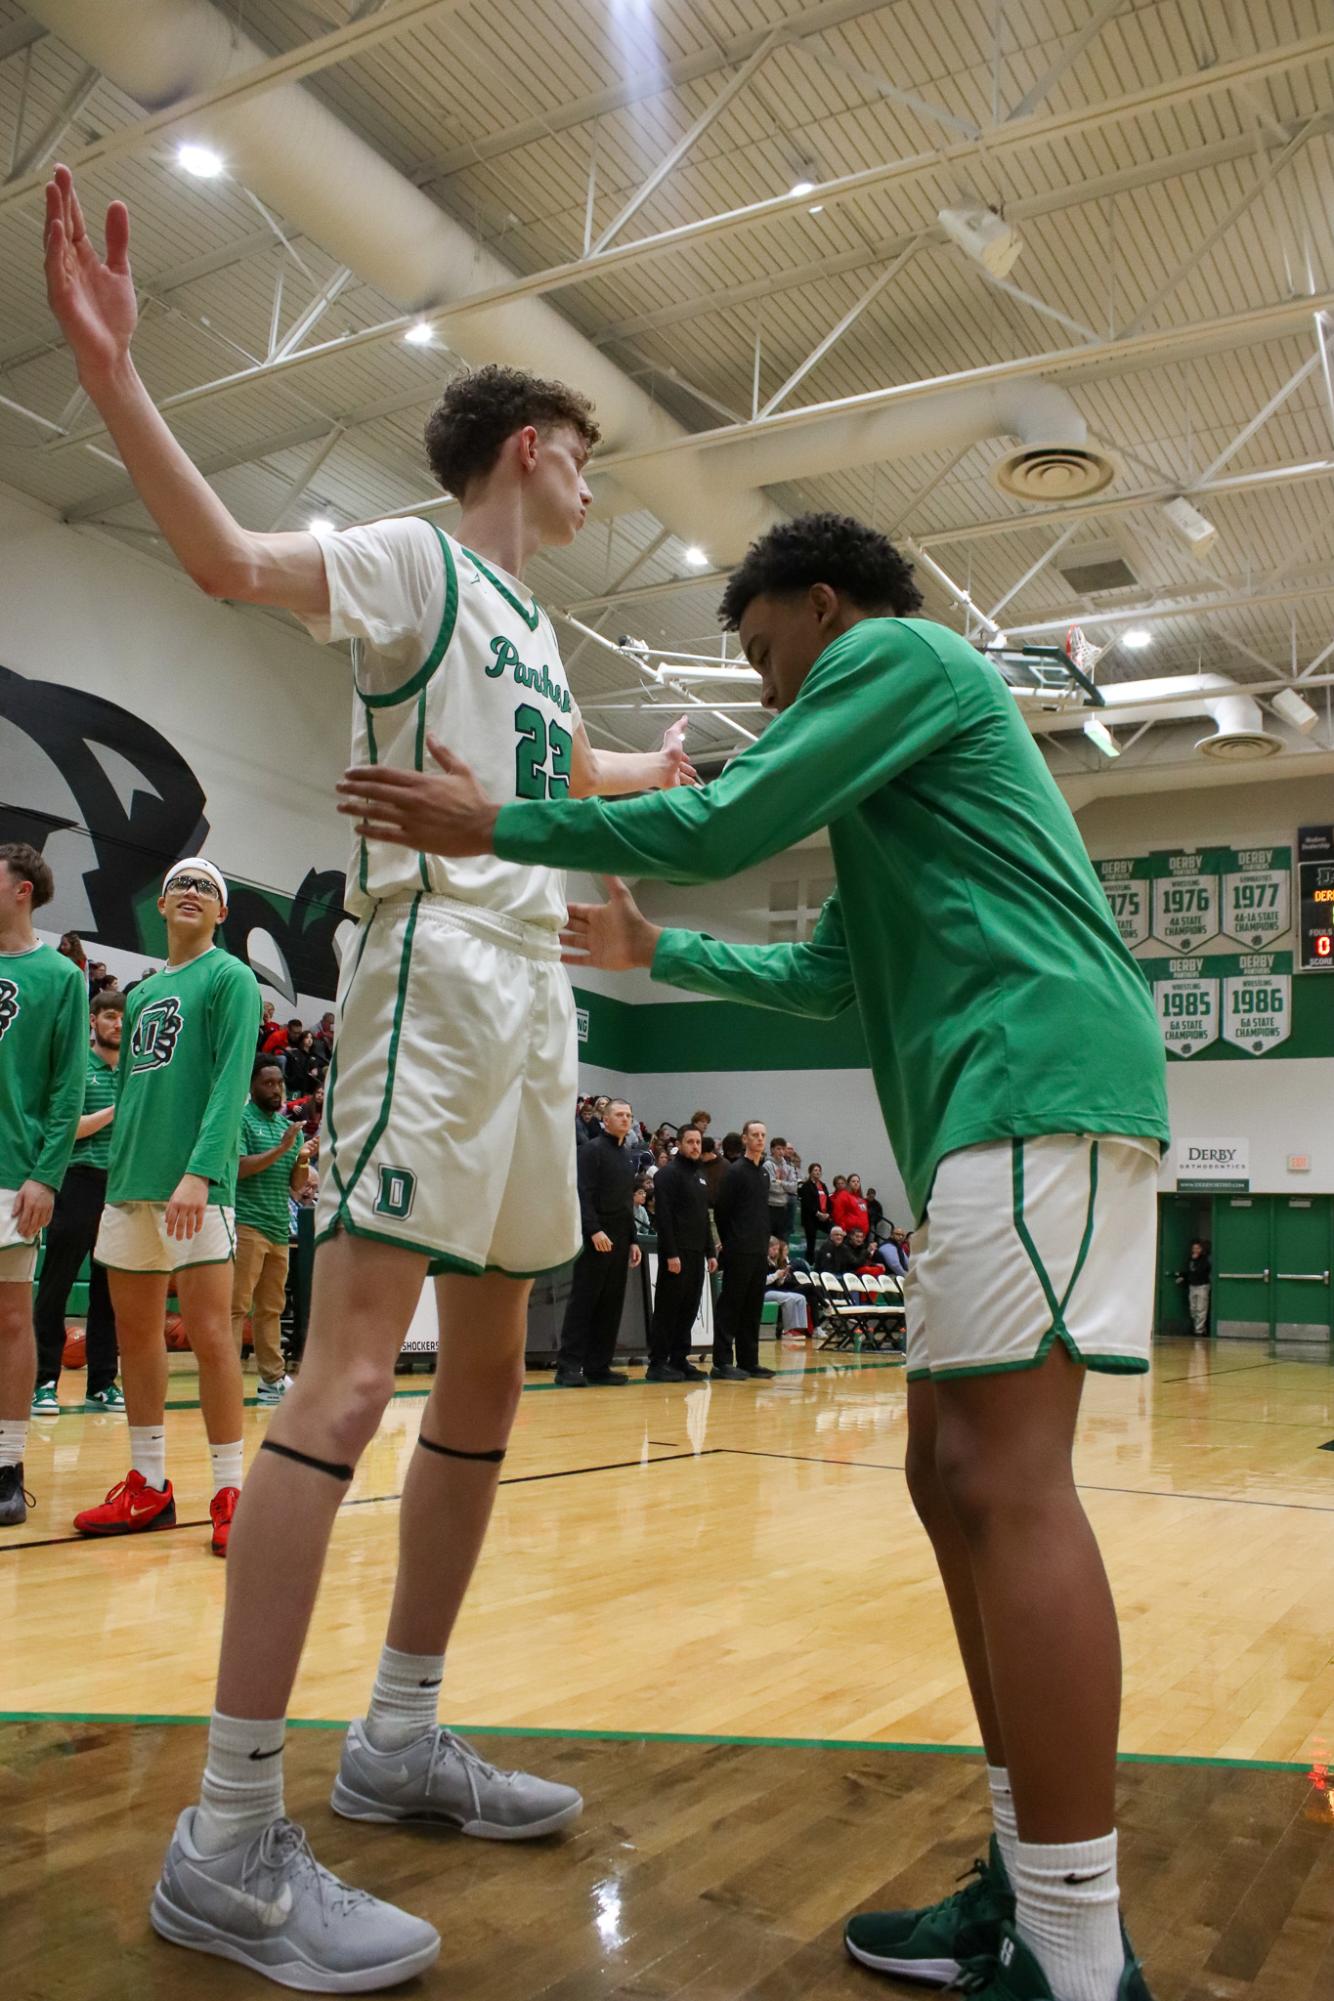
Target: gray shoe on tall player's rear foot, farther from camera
point(441, 1778)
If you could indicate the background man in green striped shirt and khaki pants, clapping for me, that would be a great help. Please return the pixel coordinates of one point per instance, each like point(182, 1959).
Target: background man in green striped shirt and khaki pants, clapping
point(275, 1164)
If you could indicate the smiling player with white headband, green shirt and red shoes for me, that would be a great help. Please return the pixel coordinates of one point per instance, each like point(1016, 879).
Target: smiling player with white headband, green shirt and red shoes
point(181, 1088)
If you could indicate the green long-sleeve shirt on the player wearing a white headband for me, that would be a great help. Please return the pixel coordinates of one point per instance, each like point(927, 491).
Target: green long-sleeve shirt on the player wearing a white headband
point(183, 1080)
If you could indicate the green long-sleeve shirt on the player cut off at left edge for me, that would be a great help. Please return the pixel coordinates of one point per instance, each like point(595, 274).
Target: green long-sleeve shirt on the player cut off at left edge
point(43, 1042)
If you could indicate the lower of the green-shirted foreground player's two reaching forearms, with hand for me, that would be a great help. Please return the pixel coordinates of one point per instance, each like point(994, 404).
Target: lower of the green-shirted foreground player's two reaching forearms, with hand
point(811, 979)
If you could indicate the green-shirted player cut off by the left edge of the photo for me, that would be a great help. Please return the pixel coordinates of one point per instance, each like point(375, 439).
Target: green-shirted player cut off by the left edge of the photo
point(43, 1036)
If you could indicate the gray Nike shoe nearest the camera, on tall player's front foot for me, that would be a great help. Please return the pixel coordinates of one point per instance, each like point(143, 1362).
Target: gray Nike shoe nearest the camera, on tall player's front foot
point(275, 1910)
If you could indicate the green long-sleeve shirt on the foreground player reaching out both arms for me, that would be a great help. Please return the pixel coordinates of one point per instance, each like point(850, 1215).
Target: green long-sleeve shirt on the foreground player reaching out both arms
point(995, 991)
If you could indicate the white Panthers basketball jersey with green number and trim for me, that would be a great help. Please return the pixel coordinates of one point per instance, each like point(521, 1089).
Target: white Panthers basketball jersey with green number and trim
point(493, 689)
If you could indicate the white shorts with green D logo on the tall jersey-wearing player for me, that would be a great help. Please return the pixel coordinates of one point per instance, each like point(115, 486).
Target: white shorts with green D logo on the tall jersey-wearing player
point(449, 1110)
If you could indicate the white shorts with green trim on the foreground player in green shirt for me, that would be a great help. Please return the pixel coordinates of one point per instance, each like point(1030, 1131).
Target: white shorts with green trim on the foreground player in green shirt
point(1029, 1242)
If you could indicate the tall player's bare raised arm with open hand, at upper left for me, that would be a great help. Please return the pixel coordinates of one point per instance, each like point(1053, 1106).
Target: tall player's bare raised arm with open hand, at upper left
point(97, 309)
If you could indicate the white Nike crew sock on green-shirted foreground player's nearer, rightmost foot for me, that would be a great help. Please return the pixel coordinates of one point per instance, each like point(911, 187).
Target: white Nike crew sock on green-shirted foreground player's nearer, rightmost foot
point(1069, 1916)
